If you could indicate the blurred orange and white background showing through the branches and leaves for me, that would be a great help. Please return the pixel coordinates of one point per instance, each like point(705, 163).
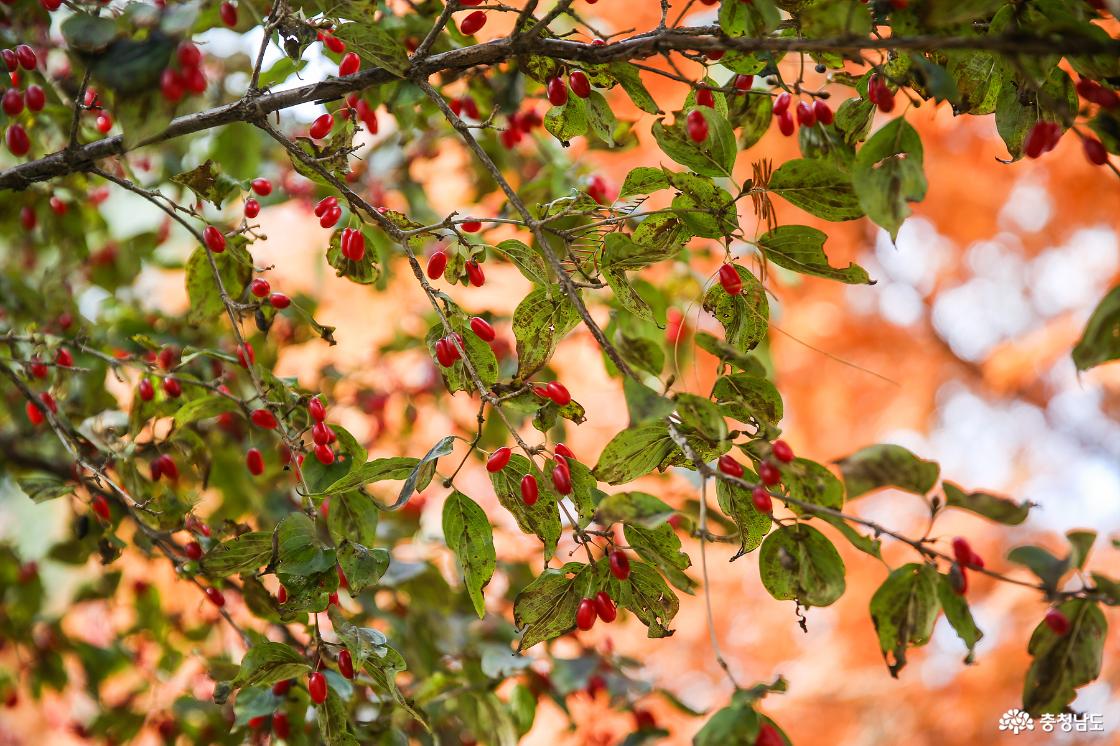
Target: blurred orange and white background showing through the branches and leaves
point(959, 352)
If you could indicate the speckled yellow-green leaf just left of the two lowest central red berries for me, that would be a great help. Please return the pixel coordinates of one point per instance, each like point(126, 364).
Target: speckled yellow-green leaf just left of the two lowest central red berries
point(546, 609)
